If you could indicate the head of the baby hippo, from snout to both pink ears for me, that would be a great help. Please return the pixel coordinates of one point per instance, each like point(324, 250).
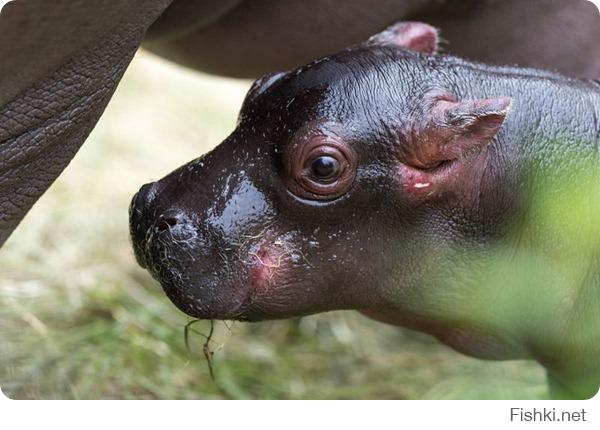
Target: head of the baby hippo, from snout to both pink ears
point(329, 192)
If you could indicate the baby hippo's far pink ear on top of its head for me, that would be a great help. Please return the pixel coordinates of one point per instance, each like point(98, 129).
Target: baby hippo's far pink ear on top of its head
point(414, 36)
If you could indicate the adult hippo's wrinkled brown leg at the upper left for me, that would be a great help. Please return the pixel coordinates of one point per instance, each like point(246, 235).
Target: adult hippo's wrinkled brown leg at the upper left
point(60, 62)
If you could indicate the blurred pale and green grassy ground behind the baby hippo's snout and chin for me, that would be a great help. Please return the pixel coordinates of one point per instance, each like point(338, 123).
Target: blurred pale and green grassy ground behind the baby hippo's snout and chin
point(79, 319)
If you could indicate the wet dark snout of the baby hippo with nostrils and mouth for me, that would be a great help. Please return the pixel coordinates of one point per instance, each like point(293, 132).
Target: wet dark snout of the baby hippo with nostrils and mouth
point(190, 242)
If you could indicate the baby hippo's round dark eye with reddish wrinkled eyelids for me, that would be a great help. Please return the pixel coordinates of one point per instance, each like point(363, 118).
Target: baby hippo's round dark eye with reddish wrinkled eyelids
point(323, 168)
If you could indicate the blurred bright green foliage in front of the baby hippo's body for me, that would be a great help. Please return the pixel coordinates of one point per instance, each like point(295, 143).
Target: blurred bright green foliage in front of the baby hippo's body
point(538, 287)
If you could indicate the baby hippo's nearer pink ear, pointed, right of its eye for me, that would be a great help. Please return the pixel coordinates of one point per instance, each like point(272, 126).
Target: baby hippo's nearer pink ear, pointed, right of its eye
point(453, 130)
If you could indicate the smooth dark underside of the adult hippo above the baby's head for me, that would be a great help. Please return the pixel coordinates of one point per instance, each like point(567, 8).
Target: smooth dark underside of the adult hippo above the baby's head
point(263, 35)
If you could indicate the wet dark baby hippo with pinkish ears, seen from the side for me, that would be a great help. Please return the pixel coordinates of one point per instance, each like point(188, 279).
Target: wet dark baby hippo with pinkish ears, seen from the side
point(424, 191)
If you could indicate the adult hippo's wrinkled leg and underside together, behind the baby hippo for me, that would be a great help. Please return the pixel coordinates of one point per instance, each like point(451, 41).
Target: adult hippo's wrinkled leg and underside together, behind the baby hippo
point(61, 60)
